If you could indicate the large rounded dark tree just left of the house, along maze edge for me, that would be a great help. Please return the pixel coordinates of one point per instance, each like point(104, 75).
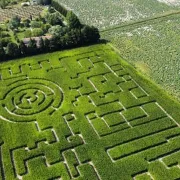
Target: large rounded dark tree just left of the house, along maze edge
point(12, 50)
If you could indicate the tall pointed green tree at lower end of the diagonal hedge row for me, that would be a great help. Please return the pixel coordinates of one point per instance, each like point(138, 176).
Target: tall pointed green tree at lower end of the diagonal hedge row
point(73, 20)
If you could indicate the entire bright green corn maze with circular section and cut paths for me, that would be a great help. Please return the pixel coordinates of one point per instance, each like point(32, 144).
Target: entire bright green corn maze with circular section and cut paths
point(83, 115)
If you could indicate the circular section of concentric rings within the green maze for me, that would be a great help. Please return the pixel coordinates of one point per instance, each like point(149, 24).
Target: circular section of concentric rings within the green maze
point(27, 98)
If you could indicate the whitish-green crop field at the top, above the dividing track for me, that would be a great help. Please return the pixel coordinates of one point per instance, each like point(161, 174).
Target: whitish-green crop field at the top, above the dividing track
point(106, 13)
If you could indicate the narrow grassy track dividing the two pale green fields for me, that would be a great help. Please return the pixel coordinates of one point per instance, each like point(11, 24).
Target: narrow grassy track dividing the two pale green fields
point(160, 17)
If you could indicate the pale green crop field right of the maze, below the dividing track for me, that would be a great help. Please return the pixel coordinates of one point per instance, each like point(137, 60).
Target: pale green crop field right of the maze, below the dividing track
point(154, 48)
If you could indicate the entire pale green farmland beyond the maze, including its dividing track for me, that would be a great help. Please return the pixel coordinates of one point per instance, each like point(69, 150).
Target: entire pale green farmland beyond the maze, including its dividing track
point(146, 33)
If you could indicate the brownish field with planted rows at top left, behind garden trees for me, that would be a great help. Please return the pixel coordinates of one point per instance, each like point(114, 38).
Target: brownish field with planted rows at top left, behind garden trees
point(23, 12)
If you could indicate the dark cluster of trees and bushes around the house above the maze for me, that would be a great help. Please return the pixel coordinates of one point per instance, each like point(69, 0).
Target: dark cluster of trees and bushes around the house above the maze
point(61, 36)
